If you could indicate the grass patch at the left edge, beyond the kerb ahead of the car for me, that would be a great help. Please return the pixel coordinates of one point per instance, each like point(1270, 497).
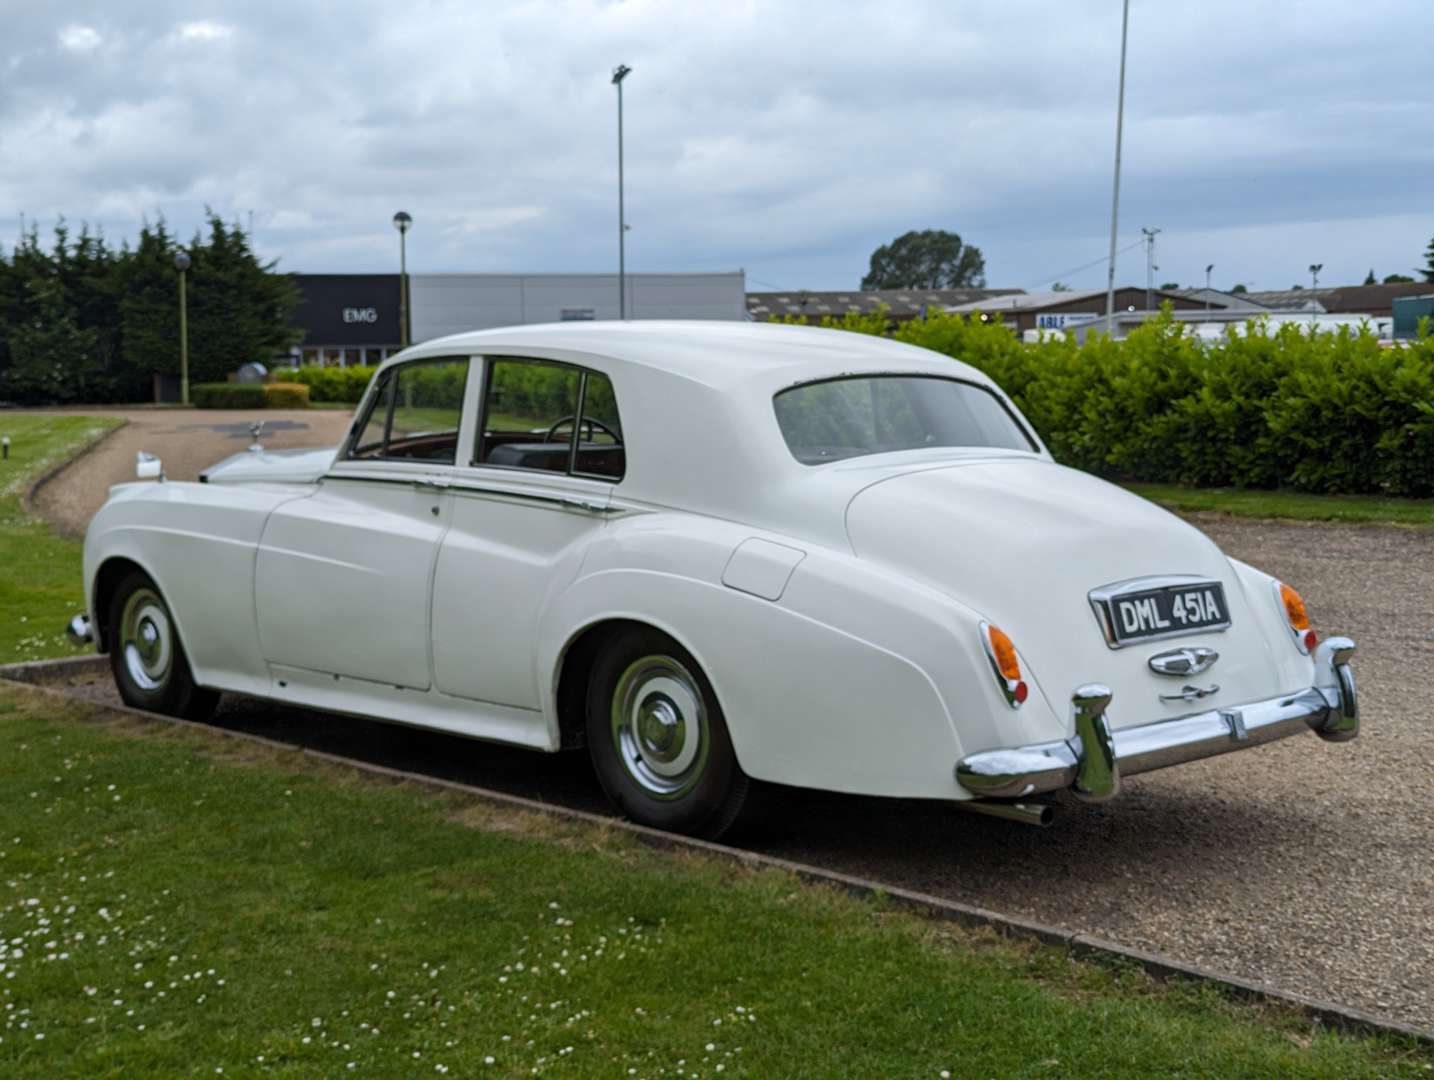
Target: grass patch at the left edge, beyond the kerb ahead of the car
point(41, 582)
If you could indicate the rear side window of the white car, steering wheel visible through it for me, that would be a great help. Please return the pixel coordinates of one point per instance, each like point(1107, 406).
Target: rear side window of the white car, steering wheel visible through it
point(553, 418)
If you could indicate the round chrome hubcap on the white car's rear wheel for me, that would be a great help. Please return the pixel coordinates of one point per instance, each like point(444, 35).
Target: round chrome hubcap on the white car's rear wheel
point(660, 726)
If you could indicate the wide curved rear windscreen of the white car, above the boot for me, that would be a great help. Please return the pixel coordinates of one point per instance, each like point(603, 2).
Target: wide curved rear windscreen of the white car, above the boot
point(848, 418)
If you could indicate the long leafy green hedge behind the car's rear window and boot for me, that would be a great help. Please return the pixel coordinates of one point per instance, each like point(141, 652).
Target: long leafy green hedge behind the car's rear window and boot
point(1333, 414)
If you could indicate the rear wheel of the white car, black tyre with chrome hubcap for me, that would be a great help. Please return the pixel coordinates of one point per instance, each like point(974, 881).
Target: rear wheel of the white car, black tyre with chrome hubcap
point(659, 741)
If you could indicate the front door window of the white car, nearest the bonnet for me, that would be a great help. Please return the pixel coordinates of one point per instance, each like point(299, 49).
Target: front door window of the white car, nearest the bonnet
point(415, 414)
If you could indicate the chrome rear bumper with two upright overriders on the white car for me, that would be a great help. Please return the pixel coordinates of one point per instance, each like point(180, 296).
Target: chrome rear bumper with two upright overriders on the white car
point(1092, 762)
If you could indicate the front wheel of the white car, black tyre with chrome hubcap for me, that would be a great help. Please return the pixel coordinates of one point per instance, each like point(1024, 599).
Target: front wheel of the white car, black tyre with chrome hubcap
point(146, 655)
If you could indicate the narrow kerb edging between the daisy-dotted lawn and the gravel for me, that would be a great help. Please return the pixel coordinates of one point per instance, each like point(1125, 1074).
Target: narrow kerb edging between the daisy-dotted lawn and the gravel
point(42, 676)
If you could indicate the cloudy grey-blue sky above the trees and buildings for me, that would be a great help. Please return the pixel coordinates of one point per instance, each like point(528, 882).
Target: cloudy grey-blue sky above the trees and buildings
point(788, 138)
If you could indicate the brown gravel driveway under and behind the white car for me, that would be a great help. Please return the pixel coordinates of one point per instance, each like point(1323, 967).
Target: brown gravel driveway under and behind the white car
point(1306, 866)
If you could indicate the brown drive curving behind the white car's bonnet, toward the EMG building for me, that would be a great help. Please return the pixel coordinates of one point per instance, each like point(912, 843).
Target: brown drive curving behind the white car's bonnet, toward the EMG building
point(187, 440)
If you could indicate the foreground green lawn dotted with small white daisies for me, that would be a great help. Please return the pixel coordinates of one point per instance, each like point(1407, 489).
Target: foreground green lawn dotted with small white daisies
point(176, 904)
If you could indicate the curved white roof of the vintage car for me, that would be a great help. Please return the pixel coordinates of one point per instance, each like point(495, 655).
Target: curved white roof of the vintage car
point(715, 355)
